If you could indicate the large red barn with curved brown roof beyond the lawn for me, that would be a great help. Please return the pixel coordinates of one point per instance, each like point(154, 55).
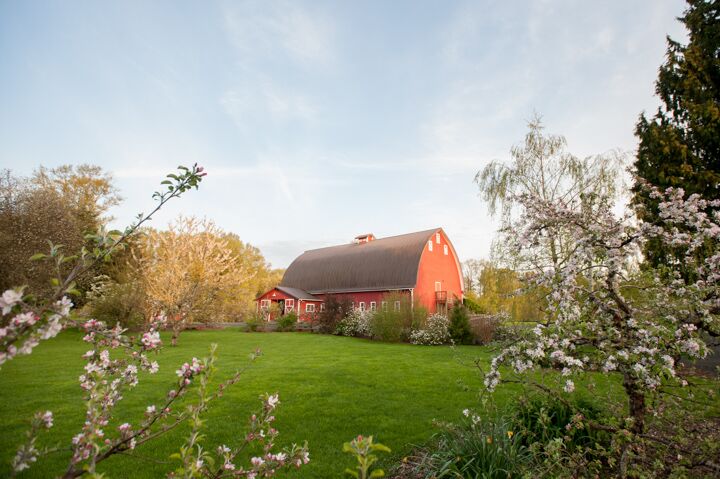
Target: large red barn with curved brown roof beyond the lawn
point(423, 266)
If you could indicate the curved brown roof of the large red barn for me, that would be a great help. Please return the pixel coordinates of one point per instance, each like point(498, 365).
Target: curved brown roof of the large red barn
point(382, 264)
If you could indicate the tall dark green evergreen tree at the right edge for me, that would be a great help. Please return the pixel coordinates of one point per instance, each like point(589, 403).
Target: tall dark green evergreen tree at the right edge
point(680, 145)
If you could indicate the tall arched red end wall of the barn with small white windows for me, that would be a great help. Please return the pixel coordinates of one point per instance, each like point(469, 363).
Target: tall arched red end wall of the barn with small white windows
point(435, 266)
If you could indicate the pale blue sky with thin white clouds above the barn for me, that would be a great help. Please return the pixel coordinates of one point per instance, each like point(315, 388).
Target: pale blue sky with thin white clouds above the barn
point(316, 120)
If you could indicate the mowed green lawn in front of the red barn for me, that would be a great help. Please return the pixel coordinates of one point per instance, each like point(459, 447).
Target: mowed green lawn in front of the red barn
point(331, 389)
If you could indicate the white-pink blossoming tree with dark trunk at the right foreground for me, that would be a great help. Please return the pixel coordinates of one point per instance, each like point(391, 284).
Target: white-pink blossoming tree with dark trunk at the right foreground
point(608, 315)
